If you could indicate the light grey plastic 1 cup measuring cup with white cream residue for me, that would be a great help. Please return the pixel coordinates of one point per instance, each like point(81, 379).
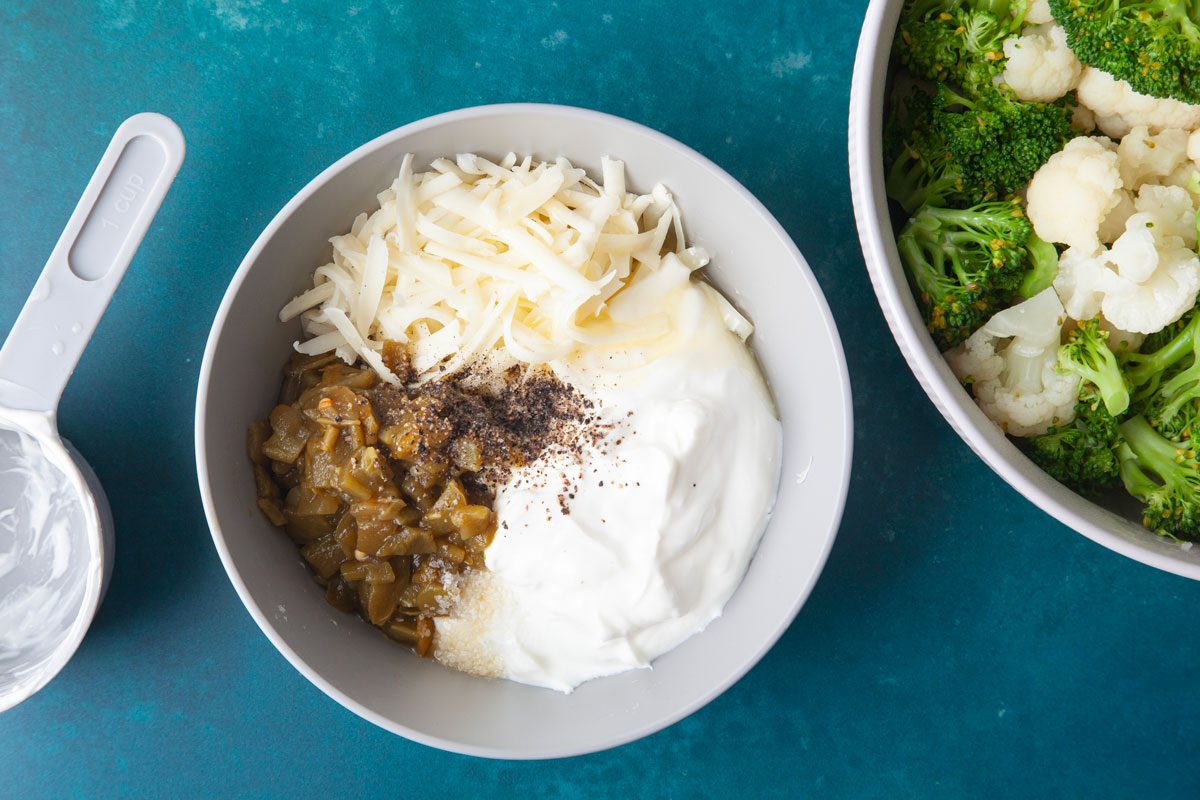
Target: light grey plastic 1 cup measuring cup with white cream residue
point(56, 527)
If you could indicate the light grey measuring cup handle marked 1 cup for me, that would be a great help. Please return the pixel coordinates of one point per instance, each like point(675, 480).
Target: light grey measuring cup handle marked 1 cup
point(89, 261)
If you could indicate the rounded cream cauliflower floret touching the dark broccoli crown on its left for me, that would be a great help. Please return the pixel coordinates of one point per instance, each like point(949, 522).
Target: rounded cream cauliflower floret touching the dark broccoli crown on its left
point(1073, 193)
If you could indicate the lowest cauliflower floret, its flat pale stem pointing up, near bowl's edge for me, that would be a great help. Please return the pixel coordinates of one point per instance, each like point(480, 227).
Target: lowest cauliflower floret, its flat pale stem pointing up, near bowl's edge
point(1012, 366)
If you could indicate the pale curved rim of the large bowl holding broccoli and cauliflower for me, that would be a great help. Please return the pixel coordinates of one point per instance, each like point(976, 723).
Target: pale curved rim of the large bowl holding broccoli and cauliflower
point(896, 302)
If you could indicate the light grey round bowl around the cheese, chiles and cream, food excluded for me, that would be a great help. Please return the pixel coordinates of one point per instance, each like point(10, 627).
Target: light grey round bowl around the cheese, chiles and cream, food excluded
point(797, 344)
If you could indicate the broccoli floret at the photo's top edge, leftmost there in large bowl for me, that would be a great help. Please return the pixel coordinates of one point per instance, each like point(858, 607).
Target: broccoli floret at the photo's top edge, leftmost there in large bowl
point(958, 41)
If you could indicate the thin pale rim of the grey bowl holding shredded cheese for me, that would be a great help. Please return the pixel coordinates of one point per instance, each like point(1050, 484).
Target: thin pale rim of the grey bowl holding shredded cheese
point(799, 262)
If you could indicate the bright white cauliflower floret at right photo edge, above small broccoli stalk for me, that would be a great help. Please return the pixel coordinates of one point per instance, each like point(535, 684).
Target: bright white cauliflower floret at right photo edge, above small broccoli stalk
point(1147, 281)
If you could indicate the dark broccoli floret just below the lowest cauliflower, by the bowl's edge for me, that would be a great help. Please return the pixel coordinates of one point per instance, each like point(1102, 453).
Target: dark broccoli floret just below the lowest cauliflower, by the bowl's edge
point(1082, 454)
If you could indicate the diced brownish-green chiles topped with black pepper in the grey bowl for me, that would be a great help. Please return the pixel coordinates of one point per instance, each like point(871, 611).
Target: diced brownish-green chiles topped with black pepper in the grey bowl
point(386, 490)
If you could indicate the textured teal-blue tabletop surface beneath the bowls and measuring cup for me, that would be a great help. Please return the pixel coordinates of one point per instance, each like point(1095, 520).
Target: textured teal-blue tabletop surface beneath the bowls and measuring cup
point(959, 645)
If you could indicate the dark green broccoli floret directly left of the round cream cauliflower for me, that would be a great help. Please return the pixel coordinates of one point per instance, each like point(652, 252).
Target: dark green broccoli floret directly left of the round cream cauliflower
point(947, 149)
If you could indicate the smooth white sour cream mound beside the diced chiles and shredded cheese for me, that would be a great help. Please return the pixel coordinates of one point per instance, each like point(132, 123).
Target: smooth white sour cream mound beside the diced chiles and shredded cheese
point(608, 561)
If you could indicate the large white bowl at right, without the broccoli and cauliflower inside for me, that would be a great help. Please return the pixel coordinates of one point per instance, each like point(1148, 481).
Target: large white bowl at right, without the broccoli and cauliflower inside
point(1117, 527)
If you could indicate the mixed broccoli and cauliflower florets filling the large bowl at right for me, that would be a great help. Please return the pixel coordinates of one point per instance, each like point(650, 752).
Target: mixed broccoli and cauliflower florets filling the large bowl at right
point(1084, 348)
